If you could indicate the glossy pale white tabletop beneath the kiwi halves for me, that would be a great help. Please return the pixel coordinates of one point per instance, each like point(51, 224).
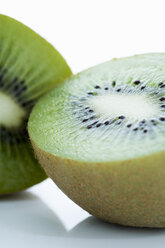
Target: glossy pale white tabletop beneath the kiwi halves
point(44, 217)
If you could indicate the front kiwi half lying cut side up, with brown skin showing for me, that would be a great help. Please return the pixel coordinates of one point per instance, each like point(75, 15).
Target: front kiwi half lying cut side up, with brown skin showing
point(101, 137)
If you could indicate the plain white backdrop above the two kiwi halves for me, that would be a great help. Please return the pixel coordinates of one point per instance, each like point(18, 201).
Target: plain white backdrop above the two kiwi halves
point(88, 32)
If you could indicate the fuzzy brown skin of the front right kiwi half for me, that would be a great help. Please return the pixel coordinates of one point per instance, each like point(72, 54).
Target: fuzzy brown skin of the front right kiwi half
point(130, 192)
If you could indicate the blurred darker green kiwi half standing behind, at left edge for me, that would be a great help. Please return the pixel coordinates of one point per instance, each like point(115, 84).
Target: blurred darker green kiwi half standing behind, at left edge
point(29, 67)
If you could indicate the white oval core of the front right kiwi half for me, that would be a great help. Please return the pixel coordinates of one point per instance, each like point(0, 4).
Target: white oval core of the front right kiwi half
point(131, 106)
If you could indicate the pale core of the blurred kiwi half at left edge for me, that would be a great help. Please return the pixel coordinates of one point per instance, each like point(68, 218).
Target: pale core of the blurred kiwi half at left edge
point(11, 114)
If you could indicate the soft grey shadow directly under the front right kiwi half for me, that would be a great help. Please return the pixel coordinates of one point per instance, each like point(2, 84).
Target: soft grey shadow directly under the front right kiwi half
point(93, 228)
